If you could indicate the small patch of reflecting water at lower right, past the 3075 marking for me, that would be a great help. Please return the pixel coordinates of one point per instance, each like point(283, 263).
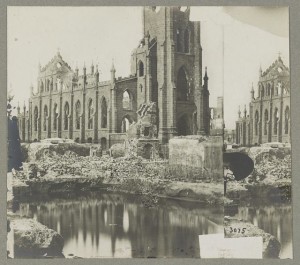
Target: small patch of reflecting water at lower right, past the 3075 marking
point(275, 219)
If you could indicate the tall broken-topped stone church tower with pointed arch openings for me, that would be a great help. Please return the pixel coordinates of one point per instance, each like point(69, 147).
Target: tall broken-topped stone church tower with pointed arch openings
point(168, 65)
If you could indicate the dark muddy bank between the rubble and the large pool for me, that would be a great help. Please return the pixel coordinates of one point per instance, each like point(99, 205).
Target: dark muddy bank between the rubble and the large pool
point(149, 190)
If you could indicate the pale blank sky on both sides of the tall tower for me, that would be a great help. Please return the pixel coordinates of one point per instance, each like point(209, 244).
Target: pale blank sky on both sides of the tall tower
point(235, 41)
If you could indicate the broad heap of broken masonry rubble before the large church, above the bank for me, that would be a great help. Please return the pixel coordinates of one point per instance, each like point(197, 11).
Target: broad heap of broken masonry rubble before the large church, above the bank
point(114, 170)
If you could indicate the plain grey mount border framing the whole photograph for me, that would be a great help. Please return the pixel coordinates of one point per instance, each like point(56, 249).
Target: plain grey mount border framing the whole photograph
point(294, 40)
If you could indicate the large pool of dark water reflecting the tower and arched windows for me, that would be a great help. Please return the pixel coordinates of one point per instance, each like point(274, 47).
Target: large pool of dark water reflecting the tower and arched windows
point(117, 226)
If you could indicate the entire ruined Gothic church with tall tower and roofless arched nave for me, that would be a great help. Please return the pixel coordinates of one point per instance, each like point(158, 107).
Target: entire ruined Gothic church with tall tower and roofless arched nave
point(164, 90)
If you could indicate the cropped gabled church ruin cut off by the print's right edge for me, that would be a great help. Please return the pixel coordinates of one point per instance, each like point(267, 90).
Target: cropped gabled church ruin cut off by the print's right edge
point(269, 113)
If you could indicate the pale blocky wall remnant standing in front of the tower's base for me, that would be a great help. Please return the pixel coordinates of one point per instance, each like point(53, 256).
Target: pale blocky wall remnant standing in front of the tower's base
point(197, 156)
